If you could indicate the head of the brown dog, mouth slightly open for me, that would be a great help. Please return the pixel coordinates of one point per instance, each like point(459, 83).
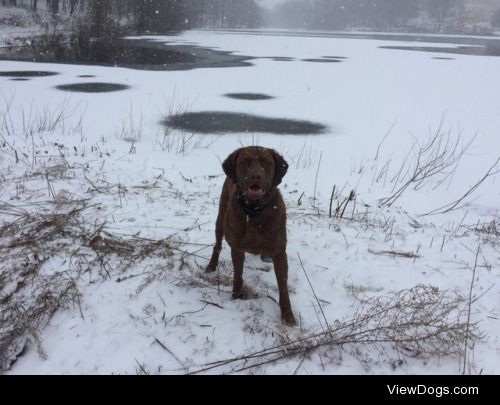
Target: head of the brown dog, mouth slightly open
point(255, 170)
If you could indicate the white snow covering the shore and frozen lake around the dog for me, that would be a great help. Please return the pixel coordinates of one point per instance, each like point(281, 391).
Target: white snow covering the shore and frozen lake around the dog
point(164, 314)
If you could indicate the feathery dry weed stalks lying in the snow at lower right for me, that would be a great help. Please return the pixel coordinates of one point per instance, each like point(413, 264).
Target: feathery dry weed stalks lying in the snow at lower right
point(420, 322)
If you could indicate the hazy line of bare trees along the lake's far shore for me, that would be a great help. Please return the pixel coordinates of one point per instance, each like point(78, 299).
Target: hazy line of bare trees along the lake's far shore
point(157, 16)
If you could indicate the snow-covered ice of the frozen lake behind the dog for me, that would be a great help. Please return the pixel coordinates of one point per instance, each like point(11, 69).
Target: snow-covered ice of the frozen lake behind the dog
point(372, 87)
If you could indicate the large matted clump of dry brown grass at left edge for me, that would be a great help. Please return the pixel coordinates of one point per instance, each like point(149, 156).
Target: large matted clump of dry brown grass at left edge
point(56, 232)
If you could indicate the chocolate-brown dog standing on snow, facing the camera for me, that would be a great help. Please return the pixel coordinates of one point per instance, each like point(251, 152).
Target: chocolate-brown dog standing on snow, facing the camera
point(252, 217)
